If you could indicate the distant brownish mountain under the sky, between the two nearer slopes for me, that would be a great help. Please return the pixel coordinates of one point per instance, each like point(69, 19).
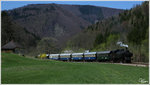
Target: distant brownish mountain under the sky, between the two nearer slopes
point(60, 22)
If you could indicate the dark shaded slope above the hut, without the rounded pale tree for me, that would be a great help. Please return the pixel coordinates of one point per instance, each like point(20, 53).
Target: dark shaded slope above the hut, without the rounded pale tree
point(12, 31)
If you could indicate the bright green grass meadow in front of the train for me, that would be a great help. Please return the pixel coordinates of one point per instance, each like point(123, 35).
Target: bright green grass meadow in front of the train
point(21, 70)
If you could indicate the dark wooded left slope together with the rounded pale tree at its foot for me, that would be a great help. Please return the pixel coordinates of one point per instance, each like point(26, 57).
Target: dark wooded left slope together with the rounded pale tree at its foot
point(29, 42)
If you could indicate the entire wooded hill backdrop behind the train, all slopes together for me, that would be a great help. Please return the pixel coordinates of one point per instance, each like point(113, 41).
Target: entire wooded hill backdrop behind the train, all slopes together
point(46, 28)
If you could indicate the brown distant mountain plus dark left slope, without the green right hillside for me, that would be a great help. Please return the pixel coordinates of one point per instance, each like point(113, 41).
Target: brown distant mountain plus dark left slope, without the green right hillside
point(47, 27)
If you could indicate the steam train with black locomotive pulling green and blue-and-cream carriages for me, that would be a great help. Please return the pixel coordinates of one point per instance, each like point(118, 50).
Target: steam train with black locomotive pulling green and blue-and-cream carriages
point(119, 55)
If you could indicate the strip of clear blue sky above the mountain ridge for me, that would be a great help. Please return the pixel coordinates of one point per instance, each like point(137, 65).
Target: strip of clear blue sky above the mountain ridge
point(8, 5)
